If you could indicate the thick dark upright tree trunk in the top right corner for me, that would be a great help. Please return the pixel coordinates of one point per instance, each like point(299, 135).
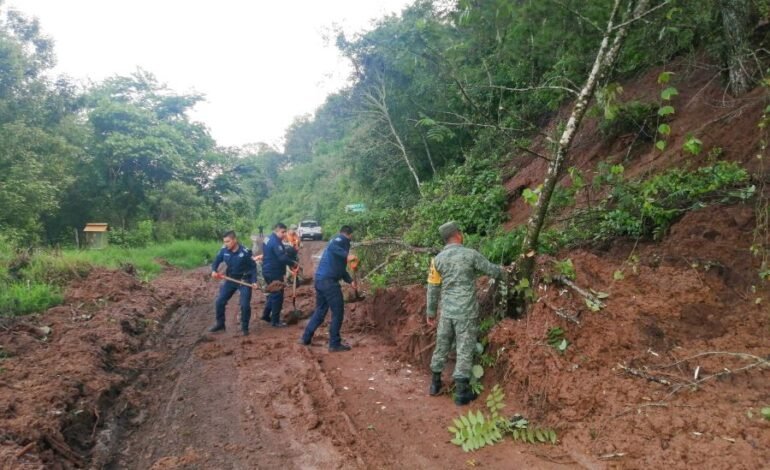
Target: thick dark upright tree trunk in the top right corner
point(736, 25)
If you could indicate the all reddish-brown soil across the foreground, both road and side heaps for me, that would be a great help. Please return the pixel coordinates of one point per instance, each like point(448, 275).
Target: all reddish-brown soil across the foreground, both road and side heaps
point(111, 388)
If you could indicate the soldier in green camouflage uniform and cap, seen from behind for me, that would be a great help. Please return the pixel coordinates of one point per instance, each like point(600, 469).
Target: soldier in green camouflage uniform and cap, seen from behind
point(453, 275)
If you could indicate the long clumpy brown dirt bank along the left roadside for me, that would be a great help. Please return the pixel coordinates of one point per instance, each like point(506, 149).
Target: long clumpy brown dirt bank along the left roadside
point(74, 362)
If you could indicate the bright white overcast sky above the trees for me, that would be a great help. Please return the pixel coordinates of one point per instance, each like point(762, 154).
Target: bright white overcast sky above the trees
point(260, 63)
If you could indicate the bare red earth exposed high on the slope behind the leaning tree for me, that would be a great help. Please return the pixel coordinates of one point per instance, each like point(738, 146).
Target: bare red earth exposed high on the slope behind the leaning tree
point(703, 110)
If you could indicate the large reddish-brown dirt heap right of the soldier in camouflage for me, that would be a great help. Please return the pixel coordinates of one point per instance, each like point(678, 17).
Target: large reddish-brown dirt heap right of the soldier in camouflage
point(674, 322)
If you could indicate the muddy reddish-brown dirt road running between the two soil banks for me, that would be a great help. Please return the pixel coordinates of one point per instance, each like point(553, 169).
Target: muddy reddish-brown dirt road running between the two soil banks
point(228, 402)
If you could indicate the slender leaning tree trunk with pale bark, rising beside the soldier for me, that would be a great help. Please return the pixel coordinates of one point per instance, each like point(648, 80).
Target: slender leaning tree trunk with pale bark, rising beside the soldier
point(605, 58)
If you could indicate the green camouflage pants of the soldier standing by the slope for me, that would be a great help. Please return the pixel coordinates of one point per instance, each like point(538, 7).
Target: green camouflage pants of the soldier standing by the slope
point(465, 333)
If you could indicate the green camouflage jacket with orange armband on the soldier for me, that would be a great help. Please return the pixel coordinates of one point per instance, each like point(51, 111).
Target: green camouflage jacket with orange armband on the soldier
point(453, 274)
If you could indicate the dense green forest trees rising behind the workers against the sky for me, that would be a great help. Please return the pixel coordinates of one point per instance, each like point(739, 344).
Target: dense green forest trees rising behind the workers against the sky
point(442, 98)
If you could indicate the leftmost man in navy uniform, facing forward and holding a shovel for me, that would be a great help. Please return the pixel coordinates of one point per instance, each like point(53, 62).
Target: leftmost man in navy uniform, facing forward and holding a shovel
point(241, 276)
